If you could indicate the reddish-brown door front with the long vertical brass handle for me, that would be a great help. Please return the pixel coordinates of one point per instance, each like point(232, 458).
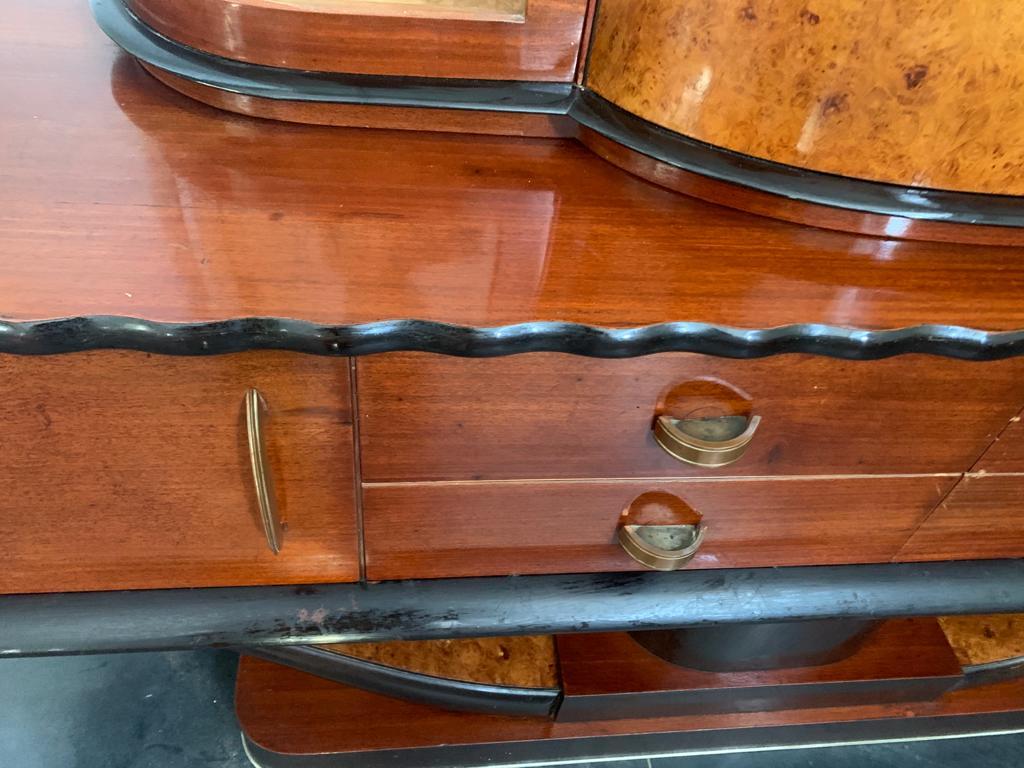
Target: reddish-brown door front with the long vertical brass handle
point(122, 471)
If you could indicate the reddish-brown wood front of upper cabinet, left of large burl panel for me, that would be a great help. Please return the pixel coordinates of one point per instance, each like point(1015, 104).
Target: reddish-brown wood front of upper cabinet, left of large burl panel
point(543, 47)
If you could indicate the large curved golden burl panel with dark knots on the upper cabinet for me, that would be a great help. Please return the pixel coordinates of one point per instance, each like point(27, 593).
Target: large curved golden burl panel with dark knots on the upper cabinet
point(923, 94)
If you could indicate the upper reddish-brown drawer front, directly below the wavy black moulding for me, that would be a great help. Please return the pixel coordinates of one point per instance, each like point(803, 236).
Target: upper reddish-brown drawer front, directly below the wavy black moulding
point(548, 416)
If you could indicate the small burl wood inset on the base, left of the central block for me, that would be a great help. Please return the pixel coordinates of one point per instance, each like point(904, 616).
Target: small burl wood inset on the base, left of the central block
point(527, 662)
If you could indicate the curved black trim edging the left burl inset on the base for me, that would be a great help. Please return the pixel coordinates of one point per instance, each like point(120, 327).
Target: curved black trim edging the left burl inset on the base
point(447, 694)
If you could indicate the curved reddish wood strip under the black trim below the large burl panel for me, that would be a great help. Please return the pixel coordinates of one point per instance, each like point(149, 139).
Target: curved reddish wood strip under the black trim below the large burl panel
point(788, 209)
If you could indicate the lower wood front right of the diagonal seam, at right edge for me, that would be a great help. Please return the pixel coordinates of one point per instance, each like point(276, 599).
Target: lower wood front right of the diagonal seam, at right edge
point(984, 518)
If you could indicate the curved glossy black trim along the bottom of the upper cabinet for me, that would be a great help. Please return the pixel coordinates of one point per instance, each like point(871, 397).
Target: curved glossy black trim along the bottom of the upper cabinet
point(559, 99)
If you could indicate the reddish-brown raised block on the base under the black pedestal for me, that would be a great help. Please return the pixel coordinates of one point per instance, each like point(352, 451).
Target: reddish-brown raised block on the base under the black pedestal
point(608, 676)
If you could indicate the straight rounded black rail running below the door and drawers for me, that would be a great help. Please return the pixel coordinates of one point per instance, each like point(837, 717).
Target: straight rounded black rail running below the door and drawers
point(160, 620)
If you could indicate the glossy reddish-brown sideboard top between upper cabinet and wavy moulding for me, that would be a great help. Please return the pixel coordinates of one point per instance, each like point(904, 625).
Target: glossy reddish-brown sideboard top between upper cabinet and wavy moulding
point(122, 198)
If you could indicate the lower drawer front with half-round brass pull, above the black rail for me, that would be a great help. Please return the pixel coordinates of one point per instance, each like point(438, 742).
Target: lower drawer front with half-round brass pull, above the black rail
point(422, 531)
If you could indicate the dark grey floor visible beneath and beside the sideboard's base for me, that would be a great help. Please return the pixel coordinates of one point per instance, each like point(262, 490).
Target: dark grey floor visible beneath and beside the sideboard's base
point(176, 711)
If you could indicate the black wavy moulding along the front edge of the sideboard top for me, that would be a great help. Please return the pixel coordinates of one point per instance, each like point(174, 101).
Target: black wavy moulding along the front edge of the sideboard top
point(80, 334)
